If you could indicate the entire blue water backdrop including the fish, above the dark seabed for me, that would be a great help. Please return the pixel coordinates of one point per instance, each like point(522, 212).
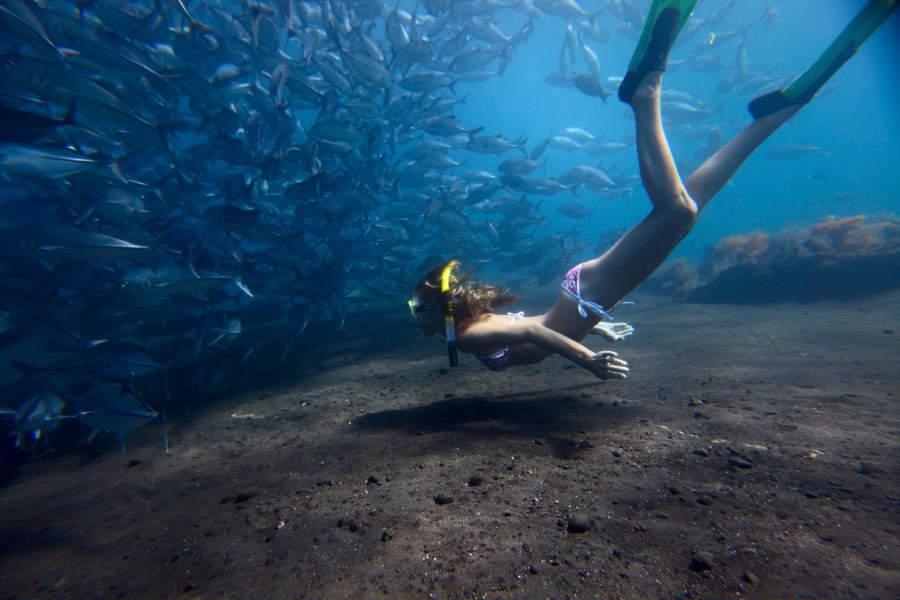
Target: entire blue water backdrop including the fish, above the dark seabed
point(188, 189)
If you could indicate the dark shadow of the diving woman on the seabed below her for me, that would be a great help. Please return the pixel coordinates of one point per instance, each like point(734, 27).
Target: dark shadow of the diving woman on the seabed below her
point(564, 419)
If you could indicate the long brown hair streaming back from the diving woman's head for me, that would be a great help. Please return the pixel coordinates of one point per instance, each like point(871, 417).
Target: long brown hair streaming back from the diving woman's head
point(462, 299)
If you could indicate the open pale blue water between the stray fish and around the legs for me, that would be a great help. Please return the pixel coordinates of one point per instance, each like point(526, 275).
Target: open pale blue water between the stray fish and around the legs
point(857, 120)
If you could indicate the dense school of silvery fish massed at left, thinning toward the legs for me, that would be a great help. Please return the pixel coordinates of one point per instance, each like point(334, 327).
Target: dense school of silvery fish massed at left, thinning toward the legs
point(186, 184)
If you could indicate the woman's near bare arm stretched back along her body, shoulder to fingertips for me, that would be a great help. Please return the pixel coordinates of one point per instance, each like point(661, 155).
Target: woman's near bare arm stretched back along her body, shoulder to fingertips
point(494, 332)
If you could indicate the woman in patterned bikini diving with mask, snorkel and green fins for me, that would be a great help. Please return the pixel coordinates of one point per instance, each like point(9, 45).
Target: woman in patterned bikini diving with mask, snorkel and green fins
point(463, 311)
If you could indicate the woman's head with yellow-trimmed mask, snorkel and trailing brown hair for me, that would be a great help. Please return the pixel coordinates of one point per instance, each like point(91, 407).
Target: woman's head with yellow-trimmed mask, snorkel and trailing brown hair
point(442, 293)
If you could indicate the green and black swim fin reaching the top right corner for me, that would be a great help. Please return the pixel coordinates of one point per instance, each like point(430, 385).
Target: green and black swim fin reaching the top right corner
point(841, 49)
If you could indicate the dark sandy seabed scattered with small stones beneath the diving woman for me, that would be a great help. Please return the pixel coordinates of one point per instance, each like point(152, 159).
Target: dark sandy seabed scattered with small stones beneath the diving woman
point(752, 451)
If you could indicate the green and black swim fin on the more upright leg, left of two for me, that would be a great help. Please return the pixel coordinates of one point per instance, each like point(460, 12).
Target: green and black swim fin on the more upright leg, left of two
point(665, 19)
